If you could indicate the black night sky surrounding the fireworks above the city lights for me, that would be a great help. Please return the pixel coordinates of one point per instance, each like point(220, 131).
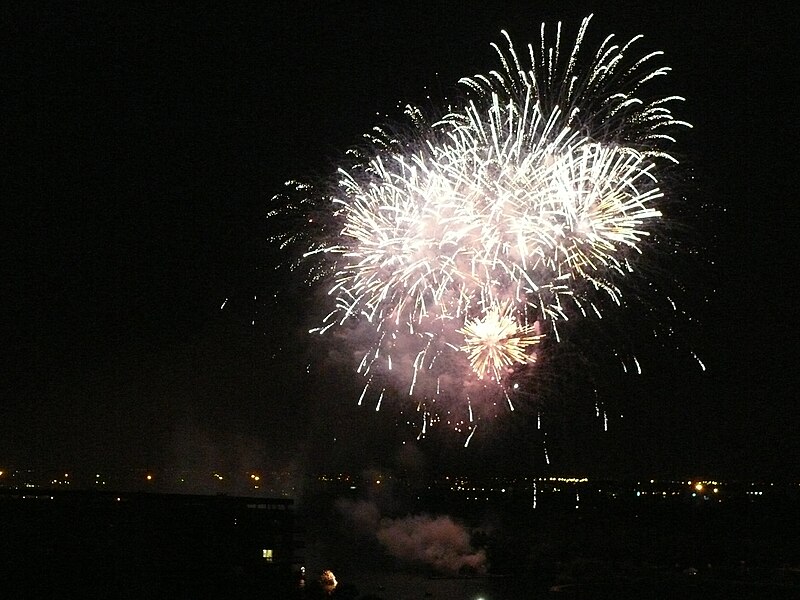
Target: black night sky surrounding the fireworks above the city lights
point(141, 146)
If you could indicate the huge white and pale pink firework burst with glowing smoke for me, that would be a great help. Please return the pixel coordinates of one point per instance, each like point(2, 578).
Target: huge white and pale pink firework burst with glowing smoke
point(462, 241)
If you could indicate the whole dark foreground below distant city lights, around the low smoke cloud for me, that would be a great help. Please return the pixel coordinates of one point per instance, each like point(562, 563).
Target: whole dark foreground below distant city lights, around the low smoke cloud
point(131, 546)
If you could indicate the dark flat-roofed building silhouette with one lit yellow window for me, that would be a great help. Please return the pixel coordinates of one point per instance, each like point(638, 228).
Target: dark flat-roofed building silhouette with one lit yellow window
point(58, 544)
